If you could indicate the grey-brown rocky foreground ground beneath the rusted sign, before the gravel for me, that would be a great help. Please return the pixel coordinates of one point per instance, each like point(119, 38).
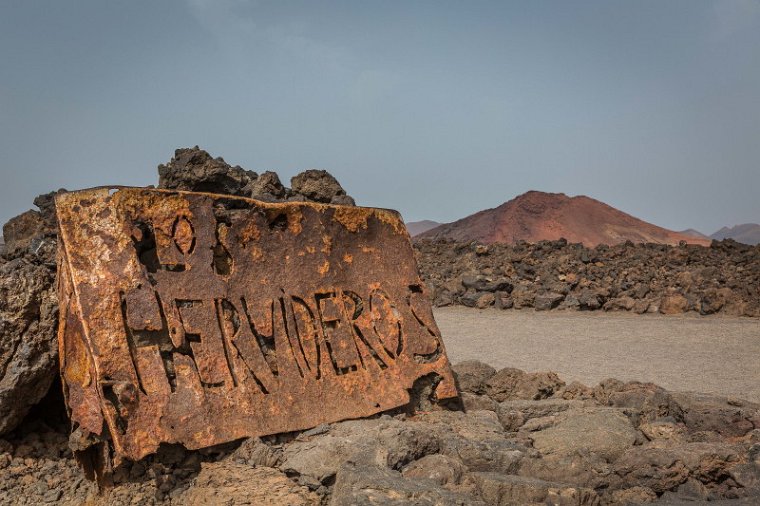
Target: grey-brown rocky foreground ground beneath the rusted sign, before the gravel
point(517, 438)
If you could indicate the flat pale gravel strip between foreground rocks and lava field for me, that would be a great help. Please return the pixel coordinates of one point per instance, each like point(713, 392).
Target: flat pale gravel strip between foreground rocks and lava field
point(681, 353)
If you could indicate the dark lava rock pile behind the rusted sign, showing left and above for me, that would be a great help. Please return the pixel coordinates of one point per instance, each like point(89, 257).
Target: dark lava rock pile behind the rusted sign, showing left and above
point(28, 303)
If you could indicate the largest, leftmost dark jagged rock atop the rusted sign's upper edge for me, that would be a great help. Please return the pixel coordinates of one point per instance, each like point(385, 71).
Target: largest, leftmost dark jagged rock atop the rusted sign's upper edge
point(193, 169)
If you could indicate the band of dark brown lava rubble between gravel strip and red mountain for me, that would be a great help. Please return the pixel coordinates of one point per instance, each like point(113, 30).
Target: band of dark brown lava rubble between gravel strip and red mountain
point(643, 278)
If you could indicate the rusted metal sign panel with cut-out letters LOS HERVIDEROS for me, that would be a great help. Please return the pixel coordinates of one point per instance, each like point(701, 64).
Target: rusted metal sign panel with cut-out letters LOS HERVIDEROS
point(198, 319)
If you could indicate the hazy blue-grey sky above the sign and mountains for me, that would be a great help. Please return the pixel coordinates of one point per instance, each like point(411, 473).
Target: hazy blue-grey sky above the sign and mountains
point(436, 108)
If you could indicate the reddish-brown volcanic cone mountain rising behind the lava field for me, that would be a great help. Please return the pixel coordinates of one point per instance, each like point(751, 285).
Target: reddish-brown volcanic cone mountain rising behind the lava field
point(536, 216)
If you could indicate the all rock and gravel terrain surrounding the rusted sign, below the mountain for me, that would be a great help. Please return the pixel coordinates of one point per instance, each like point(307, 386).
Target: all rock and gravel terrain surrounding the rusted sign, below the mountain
point(519, 433)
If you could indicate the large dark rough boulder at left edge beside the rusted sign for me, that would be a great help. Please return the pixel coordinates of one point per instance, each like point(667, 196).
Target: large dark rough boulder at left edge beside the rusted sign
point(28, 344)
